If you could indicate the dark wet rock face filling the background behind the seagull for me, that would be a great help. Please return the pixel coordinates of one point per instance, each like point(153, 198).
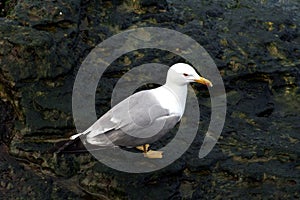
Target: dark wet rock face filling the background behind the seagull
point(256, 46)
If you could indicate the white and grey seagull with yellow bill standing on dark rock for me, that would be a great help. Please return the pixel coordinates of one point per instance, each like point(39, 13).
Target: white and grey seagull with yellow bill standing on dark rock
point(146, 116)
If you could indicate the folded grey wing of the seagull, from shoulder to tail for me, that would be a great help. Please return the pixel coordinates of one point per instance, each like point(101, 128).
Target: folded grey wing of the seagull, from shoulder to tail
point(138, 119)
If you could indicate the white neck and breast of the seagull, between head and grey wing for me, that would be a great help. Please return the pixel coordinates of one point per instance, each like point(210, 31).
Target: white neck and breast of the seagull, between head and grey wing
point(168, 100)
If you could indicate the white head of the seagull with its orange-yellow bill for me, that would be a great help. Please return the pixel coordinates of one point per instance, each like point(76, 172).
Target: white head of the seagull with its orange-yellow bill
point(182, 73)
